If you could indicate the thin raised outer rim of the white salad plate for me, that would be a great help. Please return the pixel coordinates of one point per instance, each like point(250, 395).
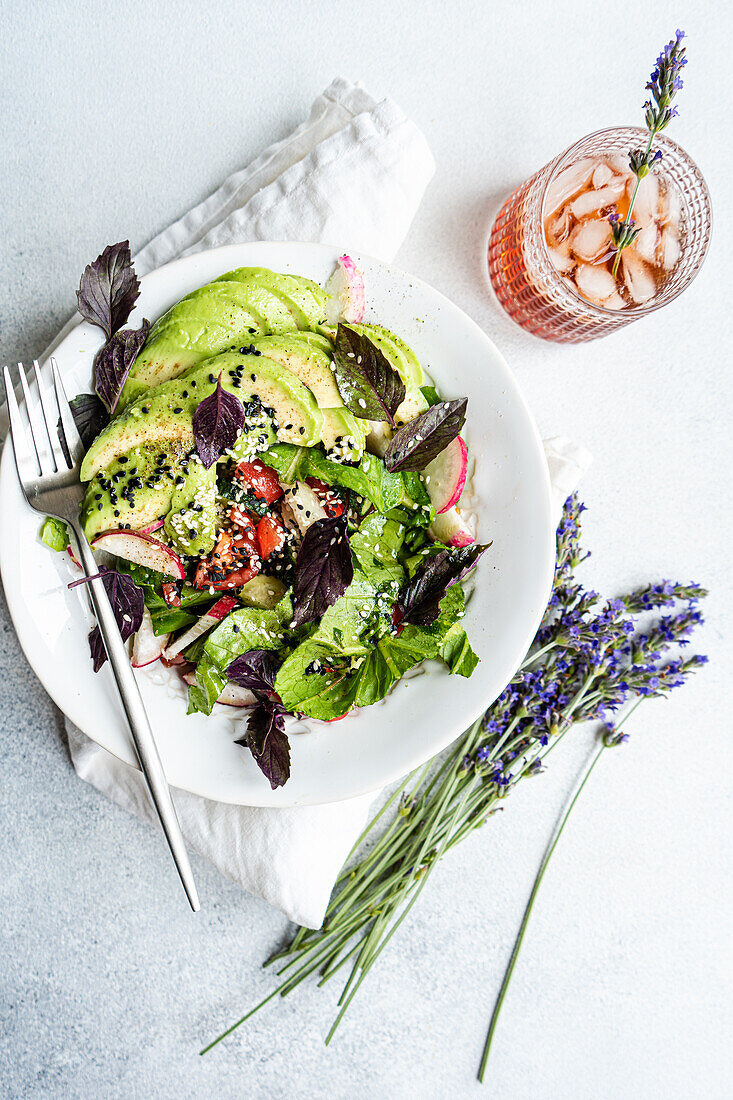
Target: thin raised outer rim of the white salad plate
point(395, 774)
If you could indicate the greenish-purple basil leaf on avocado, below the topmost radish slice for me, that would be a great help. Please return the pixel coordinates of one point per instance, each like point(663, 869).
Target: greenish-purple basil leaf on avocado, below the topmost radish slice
point(369, 386)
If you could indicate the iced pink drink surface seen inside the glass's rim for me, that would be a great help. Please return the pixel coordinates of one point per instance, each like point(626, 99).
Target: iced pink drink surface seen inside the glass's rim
point(578, 206)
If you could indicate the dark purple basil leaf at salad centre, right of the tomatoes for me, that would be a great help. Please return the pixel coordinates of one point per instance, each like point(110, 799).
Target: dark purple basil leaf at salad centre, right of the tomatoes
point(324, 569)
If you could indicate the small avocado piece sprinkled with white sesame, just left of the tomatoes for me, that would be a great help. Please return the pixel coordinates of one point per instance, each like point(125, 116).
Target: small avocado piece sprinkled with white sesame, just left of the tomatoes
point(191, 525)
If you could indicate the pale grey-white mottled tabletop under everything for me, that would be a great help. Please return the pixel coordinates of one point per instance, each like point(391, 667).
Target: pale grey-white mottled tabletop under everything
point(116, 119)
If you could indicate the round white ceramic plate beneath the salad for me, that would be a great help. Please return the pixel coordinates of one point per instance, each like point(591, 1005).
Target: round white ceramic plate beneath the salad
point(423, 714)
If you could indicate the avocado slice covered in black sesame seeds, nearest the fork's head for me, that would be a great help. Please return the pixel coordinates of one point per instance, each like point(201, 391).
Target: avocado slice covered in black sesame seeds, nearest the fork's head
point(133, 492)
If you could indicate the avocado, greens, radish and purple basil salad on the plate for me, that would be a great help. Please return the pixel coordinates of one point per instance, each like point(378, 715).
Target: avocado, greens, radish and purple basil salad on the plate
point(276, 481)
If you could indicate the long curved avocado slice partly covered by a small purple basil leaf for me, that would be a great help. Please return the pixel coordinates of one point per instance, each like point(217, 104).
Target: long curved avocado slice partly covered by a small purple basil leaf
point(165, 414)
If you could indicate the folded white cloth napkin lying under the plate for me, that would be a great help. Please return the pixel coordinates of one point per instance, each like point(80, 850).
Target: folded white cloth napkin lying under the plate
point(353, 175)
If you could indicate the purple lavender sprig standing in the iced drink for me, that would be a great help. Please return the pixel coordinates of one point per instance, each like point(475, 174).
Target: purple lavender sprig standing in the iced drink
point(664, 85)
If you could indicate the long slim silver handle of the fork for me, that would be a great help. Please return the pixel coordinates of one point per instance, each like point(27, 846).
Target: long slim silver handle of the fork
point(135, 709)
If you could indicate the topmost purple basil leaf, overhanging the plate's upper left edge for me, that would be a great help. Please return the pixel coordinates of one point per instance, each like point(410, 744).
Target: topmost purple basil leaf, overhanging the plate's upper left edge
point(110, 289)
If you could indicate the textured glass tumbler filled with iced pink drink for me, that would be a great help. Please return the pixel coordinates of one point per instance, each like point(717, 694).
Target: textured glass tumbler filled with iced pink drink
point(552, 252)
